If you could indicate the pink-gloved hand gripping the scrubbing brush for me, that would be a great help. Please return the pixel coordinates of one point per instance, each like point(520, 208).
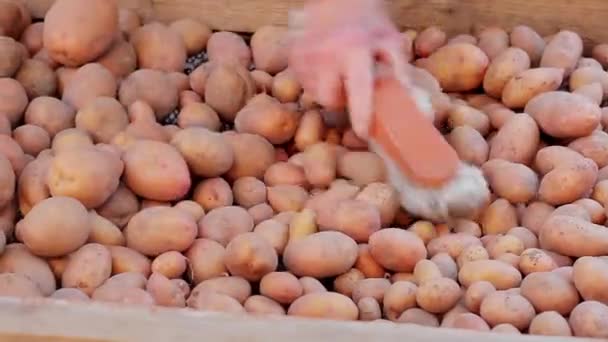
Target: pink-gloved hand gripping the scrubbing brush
point(335, 47)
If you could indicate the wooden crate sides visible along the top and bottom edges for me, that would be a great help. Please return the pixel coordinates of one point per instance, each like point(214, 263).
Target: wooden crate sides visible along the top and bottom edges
point(44, 320)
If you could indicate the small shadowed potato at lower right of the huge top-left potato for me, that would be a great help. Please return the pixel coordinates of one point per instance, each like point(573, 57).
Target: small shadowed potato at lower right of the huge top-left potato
point(120, 59)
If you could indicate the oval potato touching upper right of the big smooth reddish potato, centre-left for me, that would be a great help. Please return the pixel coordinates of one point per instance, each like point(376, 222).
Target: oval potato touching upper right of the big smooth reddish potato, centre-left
point(208, 154)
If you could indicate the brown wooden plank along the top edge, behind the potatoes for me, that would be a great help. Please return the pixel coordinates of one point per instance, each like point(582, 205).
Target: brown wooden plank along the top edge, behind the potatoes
point(587, 17)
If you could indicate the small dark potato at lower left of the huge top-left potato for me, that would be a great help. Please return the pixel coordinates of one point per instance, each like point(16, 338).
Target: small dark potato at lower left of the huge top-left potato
point(37, 78)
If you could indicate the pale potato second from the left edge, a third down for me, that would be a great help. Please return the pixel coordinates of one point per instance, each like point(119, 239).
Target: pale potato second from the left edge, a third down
point(51, 114)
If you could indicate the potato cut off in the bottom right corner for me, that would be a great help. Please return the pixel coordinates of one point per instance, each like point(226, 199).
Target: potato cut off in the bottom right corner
point(587, 319)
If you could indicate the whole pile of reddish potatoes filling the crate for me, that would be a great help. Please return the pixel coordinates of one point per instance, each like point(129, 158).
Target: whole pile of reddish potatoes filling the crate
point(256, 200)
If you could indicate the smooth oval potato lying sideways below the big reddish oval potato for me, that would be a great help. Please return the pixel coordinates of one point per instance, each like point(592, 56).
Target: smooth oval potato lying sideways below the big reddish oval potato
point(156, 230)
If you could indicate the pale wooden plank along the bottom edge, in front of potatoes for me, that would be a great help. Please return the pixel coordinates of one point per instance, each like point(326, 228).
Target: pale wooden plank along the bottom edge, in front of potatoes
point(45, 320)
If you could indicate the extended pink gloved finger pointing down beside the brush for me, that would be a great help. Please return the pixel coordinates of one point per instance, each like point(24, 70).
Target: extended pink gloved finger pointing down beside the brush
point(359, 84)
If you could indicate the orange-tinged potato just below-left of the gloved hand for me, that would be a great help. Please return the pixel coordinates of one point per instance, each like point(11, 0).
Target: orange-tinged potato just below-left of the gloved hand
point(266, 116)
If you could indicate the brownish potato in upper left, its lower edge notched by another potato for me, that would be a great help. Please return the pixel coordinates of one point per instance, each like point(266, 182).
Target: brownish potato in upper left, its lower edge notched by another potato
point(153, 87)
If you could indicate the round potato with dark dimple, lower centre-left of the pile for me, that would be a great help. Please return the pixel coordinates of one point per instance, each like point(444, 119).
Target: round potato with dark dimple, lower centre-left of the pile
point(240, 260)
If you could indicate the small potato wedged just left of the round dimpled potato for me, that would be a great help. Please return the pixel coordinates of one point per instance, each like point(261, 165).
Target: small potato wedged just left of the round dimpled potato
point(205, 260)
